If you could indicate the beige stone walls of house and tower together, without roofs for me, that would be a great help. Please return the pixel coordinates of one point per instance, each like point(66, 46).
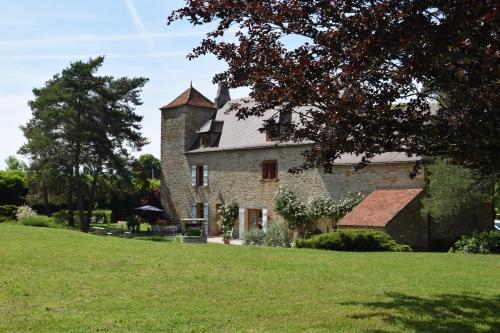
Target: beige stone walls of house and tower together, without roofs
point(236, 175)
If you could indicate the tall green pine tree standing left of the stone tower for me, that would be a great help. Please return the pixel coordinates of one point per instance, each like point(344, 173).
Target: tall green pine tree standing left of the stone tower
point(91, 122)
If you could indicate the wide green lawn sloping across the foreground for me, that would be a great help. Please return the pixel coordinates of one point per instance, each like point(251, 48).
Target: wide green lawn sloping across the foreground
point(64, 281)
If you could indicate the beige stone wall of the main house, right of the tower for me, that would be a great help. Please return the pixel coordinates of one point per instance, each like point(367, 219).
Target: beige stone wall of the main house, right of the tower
point(236, 175)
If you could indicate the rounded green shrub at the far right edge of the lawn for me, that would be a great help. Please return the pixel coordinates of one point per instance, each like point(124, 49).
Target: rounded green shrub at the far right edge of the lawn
point(483, 242)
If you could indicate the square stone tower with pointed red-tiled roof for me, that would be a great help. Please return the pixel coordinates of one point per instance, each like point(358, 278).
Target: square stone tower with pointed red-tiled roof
point(180, 119)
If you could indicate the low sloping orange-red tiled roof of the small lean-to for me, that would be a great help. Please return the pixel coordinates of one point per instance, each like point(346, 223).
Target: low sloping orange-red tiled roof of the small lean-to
point(379, 208)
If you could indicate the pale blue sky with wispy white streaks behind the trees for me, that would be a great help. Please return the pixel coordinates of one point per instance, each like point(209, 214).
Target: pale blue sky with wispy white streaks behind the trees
point(40, 38)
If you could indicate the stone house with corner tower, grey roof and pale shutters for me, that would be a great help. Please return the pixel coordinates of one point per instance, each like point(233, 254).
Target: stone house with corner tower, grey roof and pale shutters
point(210, 158)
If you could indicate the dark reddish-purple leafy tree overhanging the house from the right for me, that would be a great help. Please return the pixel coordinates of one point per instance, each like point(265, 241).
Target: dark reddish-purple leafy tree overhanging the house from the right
point(372, 72)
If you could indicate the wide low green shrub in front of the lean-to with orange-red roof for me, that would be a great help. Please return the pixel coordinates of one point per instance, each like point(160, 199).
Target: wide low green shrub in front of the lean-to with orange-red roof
point(353, 240)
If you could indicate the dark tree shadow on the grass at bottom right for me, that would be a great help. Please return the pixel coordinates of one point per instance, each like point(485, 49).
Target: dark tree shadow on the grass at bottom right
point(442, 313)
